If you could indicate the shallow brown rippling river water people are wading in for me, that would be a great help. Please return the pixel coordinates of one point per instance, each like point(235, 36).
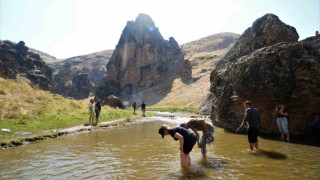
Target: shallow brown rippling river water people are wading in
point(138, 152)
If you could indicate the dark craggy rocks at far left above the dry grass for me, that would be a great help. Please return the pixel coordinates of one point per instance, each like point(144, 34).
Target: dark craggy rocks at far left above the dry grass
point(15, 59)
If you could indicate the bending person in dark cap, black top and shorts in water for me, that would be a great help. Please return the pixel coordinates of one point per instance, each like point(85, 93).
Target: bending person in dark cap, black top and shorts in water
point(186, 139)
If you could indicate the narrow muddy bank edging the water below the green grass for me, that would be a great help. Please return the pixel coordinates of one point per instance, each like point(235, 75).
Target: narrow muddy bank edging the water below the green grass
point(45, 134)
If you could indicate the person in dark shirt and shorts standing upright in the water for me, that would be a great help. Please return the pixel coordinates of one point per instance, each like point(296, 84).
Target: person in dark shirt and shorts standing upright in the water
point(253, 120)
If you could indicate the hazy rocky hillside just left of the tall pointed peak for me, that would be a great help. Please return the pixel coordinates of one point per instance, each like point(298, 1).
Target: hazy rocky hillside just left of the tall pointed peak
point(78, 76)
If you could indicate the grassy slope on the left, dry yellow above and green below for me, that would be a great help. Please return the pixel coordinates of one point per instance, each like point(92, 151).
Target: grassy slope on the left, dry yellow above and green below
point(23, 108)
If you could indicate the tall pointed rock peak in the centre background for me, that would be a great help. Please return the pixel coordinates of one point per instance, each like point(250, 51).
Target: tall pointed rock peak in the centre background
point(142, 59)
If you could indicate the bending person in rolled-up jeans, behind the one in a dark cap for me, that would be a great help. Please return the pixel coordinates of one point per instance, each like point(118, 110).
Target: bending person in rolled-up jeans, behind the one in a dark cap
point(207, 133)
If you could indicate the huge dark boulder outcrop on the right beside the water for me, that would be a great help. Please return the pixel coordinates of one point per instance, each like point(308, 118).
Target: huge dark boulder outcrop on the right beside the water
point(285, 72)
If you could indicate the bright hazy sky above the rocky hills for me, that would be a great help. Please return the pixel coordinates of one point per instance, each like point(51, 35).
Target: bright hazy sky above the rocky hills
point(66, 28)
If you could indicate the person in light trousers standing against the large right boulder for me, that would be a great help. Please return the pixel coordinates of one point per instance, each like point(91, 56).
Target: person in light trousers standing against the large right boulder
point(282, 120)
